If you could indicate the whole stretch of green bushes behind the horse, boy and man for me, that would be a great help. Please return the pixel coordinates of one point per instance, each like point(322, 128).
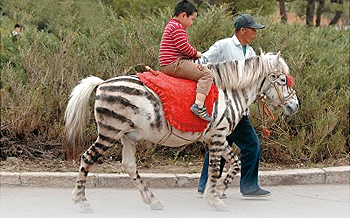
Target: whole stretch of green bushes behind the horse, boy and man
point(39, 69)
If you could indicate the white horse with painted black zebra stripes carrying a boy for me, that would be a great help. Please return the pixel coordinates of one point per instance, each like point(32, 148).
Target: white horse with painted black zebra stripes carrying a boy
point(125, 109)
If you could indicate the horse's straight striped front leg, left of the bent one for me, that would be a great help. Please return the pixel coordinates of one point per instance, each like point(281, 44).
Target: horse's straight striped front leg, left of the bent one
point(211, 194)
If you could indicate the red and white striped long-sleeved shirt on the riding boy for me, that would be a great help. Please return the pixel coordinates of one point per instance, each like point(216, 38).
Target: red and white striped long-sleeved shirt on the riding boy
point(174, 44)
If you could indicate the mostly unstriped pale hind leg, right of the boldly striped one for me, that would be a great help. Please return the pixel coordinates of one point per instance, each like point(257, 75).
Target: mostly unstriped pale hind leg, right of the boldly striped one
point(129, 163)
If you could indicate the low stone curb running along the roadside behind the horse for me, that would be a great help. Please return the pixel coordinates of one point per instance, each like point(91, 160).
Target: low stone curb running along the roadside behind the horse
point(329, 175)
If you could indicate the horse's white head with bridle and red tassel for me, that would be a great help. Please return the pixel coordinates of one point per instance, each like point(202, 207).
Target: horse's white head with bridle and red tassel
point(278, 85)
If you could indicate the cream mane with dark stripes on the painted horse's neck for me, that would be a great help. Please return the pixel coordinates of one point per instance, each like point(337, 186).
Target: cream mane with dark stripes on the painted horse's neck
point(239, 74)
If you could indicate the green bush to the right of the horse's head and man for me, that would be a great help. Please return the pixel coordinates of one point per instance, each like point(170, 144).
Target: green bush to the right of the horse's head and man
point(319, 60)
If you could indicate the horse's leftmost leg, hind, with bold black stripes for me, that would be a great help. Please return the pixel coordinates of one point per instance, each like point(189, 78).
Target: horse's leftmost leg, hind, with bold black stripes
point(87, 160)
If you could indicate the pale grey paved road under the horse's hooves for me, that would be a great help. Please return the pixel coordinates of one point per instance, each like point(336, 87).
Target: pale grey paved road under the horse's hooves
point(299, 201)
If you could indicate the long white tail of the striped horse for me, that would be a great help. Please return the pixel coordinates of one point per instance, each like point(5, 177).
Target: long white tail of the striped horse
point(76, 108)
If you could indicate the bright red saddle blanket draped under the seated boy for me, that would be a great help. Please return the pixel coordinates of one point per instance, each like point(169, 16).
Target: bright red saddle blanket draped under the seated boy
point(177, 96)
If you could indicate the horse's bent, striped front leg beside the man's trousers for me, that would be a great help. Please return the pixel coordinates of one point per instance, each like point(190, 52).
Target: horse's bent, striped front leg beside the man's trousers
point(234, 167)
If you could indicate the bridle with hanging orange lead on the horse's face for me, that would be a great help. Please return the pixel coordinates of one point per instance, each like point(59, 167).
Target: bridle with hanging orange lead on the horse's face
point(264, 110)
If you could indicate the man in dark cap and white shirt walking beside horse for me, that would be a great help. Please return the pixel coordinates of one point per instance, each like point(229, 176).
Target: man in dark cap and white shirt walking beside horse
point(244, 136)
